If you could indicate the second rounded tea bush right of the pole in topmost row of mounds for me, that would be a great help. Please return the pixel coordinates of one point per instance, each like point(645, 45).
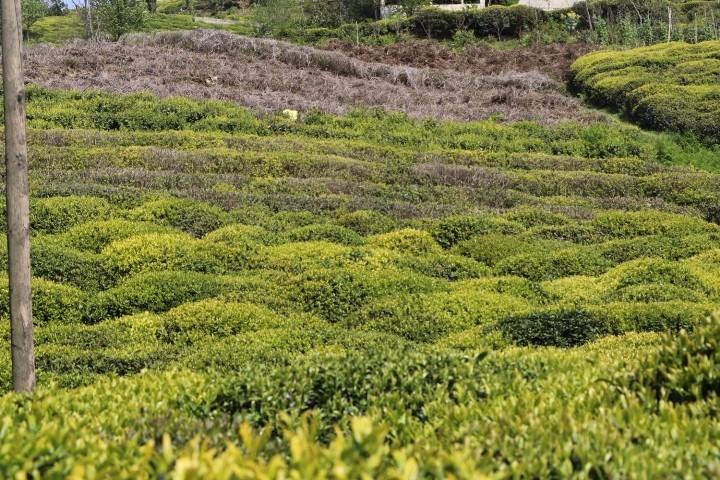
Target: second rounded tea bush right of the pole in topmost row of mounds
point(193, 217)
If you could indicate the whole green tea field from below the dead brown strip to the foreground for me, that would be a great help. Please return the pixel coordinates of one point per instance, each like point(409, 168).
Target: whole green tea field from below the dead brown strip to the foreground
point(218, 295)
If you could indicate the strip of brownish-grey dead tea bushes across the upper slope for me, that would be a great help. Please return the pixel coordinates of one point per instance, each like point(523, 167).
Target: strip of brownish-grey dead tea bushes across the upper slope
point(268, 75)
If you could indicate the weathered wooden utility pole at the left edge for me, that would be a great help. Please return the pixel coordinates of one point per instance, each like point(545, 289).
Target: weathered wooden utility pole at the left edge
point(18, 199)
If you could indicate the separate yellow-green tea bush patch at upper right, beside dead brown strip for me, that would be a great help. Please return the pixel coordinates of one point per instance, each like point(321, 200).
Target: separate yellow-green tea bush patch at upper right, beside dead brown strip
point(671, 86)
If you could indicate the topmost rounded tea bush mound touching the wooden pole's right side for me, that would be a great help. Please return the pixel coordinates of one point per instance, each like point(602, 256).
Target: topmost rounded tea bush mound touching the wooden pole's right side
point(57, 214)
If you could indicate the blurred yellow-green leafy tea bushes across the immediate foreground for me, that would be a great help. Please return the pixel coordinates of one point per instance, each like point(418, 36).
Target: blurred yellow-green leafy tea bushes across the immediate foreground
point(430, 412)
